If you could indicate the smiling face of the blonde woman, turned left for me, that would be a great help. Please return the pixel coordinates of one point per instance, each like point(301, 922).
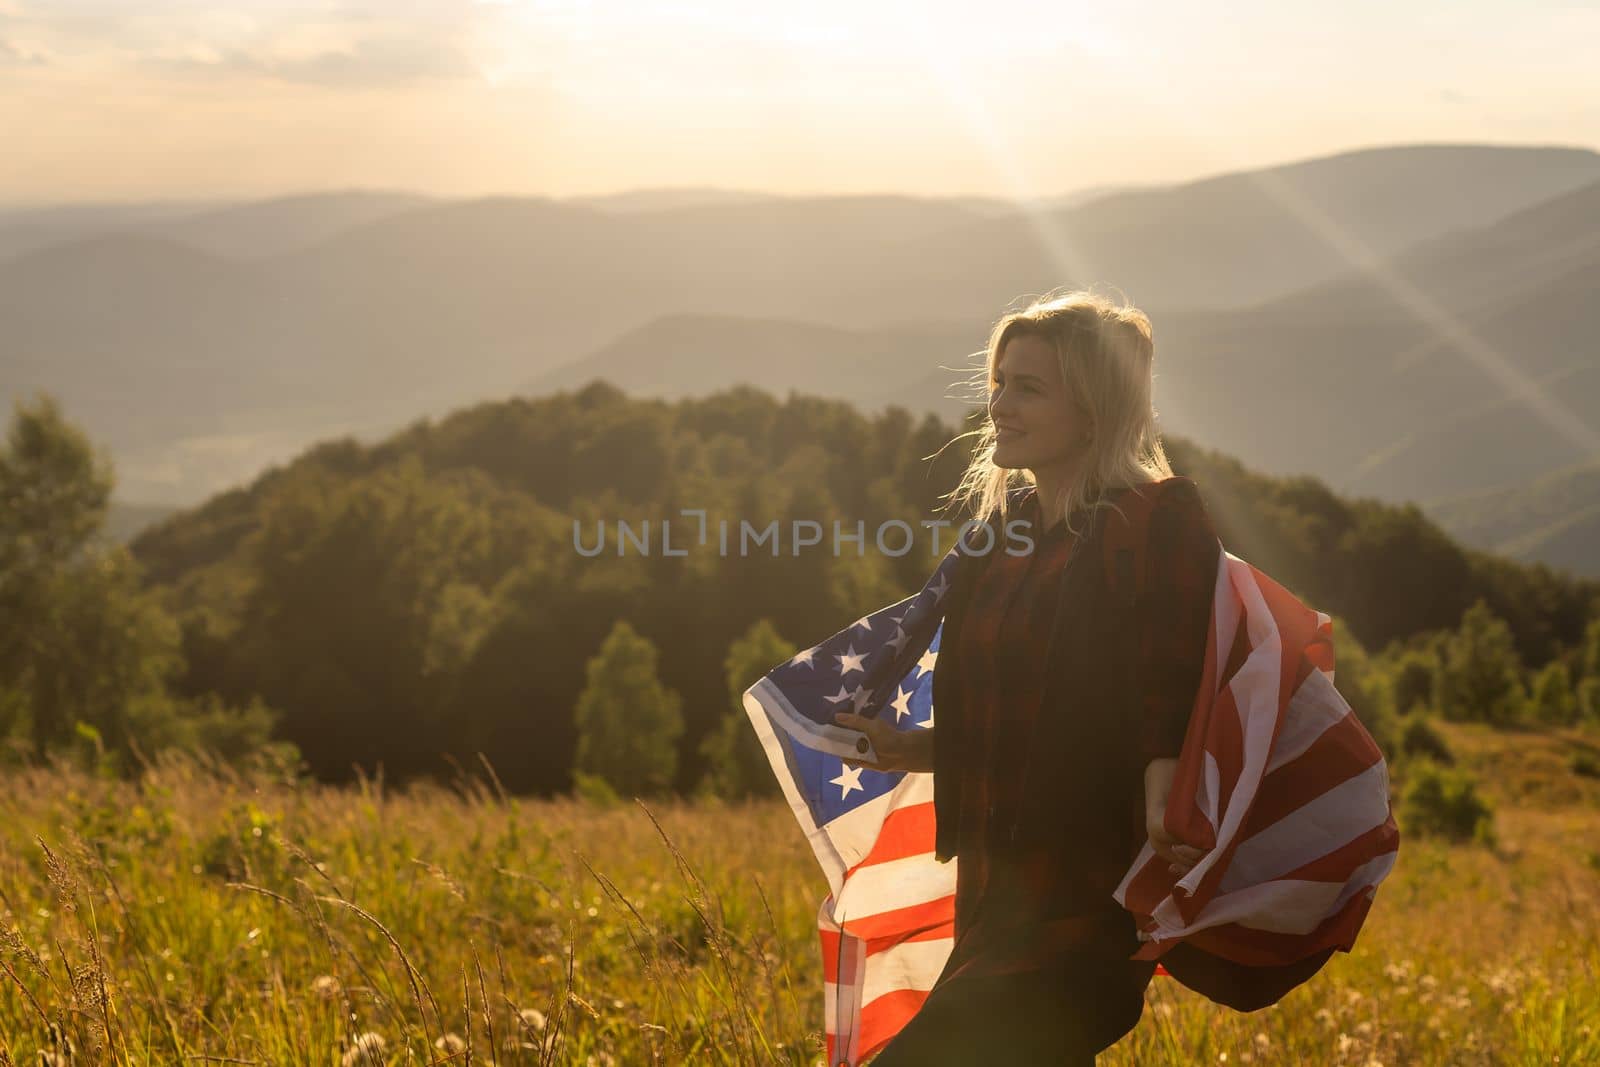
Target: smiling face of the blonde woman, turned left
point(1036, 418)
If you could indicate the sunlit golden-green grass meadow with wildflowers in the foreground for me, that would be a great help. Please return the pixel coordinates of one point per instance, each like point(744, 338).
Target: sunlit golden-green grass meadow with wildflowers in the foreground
point(212, 917)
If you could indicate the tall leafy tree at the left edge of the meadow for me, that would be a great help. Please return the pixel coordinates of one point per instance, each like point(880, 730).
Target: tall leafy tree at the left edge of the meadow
point(86, 653)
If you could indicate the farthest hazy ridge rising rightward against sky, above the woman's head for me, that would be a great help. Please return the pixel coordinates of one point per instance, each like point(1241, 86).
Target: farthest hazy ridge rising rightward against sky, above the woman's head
point(1242, 238)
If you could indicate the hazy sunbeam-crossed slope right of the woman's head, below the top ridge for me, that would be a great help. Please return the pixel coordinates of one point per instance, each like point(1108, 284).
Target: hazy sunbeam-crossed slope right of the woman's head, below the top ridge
point(1465, 364)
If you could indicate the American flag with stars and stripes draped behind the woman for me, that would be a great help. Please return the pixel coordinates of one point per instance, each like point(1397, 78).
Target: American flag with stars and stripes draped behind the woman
point(1278, 780)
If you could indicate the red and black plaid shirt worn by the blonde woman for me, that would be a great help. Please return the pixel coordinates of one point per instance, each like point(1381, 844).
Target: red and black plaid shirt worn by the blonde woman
point(1004, 898)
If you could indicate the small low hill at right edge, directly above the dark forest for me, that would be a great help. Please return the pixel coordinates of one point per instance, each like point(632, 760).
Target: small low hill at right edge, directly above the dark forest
point(1554, 519)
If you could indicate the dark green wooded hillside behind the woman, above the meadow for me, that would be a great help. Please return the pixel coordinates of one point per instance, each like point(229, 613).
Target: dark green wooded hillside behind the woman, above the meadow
point(422, 601)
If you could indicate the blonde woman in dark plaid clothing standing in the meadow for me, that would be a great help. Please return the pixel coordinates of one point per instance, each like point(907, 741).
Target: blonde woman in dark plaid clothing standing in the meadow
point(1062, 695)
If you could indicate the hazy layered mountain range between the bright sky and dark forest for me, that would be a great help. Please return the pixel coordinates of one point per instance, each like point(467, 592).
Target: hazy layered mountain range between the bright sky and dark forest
point(1414, 322)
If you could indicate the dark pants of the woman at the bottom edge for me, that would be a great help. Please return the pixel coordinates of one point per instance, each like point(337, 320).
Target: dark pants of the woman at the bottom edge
point(1062, 1015)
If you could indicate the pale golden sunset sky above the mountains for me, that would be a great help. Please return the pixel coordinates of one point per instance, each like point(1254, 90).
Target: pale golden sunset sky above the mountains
point(140, 100)
